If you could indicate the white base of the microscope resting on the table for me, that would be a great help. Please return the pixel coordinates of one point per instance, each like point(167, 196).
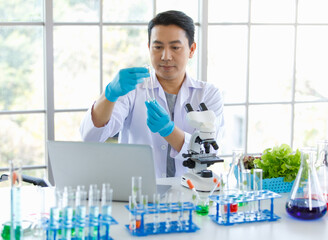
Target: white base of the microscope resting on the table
point(201, 184)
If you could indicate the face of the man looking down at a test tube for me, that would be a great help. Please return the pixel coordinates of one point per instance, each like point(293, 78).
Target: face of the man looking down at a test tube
point(169, 51)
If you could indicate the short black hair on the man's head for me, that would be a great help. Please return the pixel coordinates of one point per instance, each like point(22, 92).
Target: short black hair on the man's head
point(177, 18)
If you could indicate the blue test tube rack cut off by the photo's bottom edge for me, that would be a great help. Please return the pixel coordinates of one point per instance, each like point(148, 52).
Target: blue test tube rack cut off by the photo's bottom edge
point(54, 231)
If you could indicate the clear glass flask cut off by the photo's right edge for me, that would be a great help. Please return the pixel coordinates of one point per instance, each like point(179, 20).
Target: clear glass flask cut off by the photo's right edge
point(322, 167)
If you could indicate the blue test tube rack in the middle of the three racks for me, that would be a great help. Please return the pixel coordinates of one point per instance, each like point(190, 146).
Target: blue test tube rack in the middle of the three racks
point(175, 207)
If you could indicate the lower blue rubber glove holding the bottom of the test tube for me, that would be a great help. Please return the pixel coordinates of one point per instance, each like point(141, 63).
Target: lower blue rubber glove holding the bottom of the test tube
point(158, 120)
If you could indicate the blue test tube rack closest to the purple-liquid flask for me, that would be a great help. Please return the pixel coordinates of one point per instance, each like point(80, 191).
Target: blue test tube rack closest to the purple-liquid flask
point(227, 218)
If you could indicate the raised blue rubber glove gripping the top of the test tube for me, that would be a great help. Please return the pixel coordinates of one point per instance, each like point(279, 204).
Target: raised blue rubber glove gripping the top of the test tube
point(124, 82)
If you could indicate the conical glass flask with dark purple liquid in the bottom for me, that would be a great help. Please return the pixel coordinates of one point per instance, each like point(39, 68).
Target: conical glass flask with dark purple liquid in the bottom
point(306, 200)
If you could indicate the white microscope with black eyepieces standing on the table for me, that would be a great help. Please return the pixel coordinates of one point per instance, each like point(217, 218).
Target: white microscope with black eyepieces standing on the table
point(199, 155)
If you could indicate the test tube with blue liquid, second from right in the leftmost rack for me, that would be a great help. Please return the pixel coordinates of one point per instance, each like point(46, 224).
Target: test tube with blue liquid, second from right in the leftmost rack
point(94, 195)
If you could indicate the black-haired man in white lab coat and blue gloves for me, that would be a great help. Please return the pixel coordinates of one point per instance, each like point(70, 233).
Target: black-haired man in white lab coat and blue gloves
point(162, 124)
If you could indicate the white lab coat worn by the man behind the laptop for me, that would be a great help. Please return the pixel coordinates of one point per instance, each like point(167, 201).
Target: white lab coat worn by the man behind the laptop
point(129, 117)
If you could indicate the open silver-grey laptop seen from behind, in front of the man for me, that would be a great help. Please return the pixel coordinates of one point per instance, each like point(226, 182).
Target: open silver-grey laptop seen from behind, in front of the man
point(85, 163)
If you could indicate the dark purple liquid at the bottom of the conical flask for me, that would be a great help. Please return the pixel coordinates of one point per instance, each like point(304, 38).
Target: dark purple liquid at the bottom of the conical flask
point(299, 208)
